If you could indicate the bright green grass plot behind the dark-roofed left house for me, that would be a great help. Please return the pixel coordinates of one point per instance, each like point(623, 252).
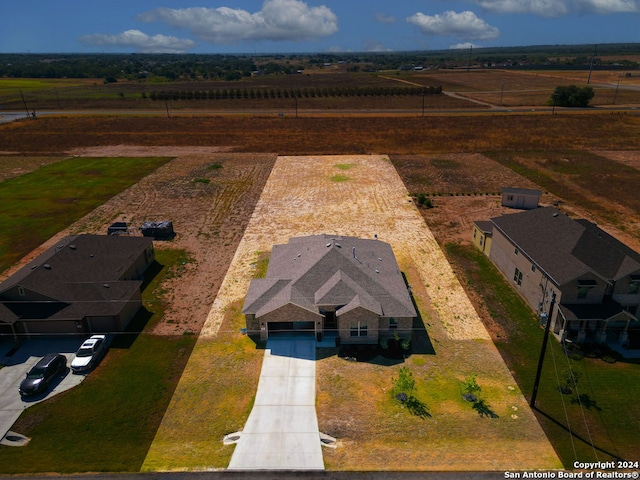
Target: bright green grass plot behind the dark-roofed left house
point(37, 205)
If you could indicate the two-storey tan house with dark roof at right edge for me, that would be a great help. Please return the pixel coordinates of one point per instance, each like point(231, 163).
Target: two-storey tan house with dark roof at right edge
point(595, 277)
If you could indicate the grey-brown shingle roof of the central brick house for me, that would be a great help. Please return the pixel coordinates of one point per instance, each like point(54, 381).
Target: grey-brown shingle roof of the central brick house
point(331, 270)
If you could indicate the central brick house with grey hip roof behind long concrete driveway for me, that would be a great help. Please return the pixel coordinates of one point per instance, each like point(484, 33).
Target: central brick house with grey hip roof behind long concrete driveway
point(325, 283)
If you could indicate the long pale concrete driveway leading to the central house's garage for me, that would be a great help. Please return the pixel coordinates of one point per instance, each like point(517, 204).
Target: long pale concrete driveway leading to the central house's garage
point(282, 430)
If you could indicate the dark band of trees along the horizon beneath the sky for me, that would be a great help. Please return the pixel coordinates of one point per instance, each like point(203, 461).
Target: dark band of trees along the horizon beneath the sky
point(236, 66)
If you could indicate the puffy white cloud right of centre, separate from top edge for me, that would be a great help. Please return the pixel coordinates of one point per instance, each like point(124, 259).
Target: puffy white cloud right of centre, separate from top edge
point(465, 25)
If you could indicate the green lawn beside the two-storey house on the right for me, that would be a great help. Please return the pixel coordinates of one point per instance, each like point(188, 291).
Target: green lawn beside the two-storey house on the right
point(604, 419)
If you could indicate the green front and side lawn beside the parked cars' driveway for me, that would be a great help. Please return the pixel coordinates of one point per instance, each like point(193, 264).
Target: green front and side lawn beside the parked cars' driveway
point(108, 422)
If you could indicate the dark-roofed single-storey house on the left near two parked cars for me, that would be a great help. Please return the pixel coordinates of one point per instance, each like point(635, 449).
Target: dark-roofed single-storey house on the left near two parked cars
point(84, 284)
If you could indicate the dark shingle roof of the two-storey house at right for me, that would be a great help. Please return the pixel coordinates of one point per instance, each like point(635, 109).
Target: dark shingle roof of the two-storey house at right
point(566, 249)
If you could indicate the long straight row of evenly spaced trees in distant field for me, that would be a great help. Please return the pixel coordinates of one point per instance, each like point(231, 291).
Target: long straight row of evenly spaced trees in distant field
point(311, 92)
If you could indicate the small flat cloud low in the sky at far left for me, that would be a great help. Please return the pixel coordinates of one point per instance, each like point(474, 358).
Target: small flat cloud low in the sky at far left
point(140, 42)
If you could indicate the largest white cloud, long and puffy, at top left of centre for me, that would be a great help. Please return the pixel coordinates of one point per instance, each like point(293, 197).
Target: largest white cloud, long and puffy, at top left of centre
point(279, 20)
